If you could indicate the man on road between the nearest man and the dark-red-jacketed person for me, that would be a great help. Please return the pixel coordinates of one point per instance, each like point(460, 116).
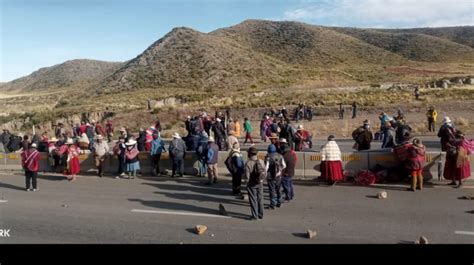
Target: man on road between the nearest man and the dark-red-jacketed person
point(274, 165)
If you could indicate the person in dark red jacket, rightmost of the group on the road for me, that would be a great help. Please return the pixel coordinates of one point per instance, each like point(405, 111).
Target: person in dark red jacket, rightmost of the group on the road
point(290, 159)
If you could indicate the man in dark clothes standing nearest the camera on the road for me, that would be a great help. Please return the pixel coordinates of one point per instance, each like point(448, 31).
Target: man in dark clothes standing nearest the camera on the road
point(255, 173)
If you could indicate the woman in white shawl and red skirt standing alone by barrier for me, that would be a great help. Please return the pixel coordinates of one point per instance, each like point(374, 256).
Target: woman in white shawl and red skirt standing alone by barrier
point(331, 165)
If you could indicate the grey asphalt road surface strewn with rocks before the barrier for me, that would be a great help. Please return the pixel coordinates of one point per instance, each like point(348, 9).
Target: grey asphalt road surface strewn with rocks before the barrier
point(165, 210)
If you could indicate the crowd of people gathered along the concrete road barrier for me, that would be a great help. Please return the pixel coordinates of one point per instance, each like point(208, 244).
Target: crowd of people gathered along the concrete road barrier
point(207, 135)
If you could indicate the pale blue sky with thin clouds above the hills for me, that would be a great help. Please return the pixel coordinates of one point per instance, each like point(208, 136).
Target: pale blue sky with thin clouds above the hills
point(41, 33)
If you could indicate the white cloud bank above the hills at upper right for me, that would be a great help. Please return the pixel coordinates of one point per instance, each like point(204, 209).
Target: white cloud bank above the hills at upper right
point(389, 13)
